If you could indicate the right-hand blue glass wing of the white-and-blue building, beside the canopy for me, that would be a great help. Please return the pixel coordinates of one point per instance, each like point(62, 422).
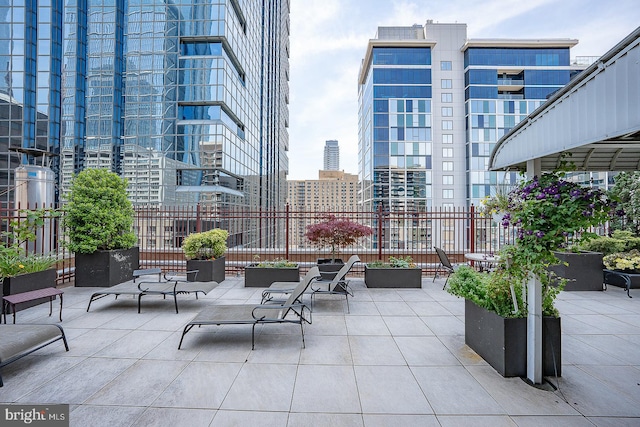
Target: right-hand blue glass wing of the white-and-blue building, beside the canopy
point(502, 86)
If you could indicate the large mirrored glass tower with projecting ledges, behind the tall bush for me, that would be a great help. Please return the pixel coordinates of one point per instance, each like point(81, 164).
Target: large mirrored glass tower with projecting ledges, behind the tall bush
point(186, 99)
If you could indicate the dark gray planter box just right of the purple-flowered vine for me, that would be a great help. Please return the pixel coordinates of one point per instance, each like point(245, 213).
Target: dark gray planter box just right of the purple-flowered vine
point(584, 270)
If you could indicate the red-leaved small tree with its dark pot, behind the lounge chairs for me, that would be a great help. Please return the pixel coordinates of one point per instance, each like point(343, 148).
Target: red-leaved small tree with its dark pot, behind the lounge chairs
point(335, 233)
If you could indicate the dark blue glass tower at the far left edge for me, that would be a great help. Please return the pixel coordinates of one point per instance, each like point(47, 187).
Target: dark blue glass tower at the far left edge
point(30, 85)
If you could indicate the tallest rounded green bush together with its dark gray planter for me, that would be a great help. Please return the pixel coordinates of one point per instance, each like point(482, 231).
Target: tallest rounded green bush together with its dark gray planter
point(98, 221)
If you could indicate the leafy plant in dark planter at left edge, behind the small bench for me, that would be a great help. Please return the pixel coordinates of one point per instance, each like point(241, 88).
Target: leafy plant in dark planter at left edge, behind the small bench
point(21, 271)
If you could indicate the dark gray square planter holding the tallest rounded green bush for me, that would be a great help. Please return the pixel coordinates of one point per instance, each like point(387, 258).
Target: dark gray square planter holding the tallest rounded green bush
point(106, 268)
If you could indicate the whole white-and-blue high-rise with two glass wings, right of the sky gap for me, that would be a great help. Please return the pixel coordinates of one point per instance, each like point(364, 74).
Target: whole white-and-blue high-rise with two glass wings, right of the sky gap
point(432, 104)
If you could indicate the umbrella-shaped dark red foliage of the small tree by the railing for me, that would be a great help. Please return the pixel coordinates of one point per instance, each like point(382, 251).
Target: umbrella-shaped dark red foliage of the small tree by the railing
point(336, 233)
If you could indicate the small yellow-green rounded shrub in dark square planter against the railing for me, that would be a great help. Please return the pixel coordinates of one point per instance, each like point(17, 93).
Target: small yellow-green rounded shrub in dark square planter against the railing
point(205, 252)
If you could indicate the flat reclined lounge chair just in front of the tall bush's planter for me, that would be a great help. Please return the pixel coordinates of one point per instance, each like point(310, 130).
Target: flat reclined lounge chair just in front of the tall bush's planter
point(171, 284)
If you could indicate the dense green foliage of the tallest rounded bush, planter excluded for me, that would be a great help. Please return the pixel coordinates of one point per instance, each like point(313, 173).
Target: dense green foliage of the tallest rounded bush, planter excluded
point(99, 216)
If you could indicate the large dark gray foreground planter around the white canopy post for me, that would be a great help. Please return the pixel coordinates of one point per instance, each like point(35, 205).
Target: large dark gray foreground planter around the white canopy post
point(502, 342)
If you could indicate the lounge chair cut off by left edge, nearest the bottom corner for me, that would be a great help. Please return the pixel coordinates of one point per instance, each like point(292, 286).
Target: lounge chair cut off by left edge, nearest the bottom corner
point(21, 340)
